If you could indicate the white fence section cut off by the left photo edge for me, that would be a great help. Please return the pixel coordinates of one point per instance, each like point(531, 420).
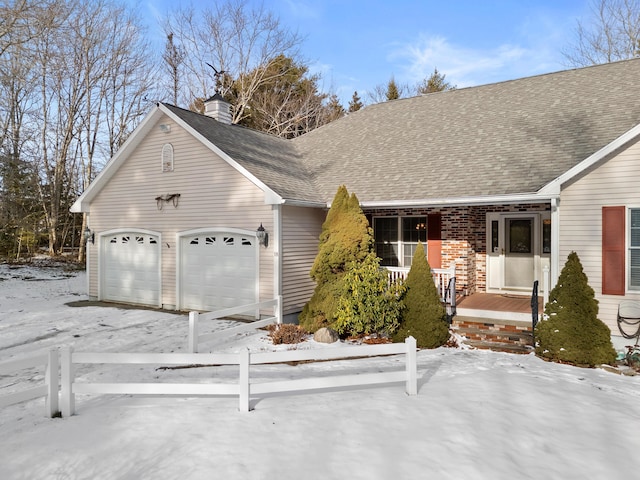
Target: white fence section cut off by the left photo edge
point(49, 389)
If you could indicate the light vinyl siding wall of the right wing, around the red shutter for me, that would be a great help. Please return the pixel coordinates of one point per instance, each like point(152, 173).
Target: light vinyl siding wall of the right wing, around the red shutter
point(613, 183)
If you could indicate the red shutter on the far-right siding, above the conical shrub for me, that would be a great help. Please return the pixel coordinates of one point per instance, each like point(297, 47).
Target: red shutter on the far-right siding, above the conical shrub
point(613, 251)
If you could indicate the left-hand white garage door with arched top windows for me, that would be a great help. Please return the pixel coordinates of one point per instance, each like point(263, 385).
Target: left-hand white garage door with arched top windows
point(131, 268)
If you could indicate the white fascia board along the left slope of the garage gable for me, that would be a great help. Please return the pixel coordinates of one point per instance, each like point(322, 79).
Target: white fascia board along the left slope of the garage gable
point(82, 204)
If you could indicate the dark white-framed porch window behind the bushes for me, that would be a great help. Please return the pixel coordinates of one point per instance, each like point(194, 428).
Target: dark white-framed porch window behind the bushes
point(396, 239)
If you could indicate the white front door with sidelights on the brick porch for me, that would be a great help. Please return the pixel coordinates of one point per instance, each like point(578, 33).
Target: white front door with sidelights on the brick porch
point(516, 250)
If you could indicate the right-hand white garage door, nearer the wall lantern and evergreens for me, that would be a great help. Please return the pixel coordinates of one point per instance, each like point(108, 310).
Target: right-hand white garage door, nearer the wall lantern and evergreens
point(217, 270)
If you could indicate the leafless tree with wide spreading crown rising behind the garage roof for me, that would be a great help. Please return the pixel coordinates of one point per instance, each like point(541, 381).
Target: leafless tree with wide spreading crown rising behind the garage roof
point(241, 40)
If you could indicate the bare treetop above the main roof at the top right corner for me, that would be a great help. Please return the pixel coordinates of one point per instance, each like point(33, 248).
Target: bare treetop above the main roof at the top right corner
point(611, 33)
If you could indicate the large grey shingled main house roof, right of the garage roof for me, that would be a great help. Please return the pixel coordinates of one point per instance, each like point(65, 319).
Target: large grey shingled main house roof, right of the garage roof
point(505, 138)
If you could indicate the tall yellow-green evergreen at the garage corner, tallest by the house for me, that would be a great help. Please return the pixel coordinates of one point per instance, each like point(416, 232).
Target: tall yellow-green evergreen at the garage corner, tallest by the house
point(346, 237)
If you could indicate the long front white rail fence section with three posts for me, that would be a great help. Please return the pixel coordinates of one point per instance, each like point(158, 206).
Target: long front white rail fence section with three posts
point(244, 388)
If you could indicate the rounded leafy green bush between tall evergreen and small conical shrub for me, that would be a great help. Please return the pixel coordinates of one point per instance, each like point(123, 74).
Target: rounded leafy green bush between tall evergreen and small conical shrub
point(368, 303)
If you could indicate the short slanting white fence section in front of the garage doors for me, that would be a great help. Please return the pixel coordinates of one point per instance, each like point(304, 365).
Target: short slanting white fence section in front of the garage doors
point(195, 318)
